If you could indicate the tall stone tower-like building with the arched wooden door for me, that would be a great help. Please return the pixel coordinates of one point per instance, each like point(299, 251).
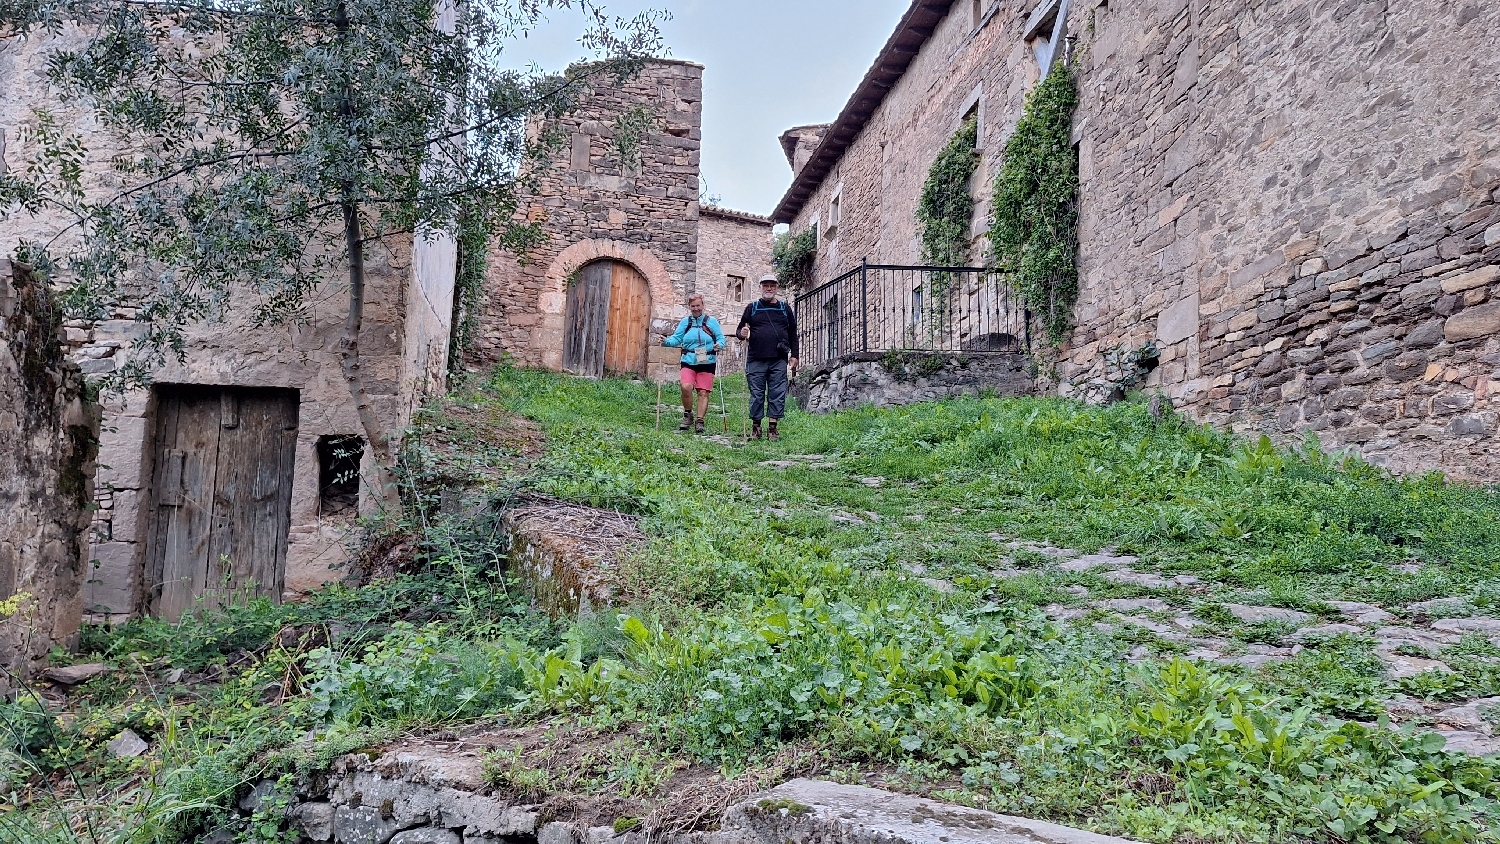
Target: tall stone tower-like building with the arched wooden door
point(626, 239)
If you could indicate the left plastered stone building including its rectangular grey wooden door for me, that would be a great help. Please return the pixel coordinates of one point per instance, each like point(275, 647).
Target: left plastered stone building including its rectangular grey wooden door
point(250, 447)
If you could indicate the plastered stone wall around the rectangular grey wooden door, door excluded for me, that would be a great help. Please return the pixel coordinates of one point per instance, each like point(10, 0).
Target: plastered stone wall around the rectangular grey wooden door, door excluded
point(404, 353)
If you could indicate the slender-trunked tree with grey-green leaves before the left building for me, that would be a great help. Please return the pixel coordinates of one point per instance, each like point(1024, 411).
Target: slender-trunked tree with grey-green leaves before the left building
point(260, 146)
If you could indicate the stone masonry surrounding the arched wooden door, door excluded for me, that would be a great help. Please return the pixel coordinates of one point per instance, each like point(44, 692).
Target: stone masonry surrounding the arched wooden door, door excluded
point(644, 214)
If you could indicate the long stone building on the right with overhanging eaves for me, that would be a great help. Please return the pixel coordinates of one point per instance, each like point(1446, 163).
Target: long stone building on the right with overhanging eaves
point(1295, 202)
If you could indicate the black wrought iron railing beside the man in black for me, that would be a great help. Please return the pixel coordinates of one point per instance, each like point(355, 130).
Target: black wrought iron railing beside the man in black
point(878, 308)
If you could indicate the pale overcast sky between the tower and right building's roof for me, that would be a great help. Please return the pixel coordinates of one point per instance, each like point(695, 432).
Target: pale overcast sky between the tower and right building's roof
point(770, 65)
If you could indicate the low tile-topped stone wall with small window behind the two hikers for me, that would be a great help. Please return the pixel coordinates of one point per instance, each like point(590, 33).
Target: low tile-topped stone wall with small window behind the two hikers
point(734, 253)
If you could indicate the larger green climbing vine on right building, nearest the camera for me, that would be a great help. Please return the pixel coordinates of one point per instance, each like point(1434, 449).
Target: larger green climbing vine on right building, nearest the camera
point(1034, 224)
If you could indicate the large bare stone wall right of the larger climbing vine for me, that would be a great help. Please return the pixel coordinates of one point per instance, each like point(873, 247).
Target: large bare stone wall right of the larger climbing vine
point(1297, 202)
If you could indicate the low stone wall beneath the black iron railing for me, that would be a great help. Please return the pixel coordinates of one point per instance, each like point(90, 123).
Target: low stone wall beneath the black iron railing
point(884, 382)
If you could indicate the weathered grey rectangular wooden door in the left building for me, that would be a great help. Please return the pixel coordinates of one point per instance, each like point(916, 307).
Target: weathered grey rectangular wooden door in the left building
point(221, 495)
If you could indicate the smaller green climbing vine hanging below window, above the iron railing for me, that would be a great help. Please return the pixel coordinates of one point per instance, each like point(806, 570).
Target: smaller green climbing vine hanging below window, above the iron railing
point(947, 206)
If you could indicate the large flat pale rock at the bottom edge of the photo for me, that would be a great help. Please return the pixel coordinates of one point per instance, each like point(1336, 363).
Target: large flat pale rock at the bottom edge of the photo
point(811, 810)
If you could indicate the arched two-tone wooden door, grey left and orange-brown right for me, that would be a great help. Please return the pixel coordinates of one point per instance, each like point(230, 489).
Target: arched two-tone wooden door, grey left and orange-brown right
point(608, 320)
